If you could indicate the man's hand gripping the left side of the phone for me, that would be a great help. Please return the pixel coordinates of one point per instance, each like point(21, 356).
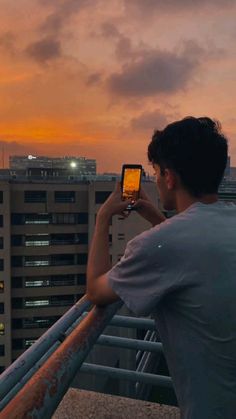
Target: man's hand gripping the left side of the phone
point(114, 205)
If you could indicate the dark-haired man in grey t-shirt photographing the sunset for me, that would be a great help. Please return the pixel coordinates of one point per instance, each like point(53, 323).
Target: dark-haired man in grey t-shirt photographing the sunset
point(182, 270)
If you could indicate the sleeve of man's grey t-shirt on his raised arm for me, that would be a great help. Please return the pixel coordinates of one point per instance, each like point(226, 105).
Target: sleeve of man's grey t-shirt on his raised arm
point(138, 277)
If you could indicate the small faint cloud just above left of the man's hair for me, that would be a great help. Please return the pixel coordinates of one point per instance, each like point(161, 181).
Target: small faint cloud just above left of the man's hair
point(150, 121)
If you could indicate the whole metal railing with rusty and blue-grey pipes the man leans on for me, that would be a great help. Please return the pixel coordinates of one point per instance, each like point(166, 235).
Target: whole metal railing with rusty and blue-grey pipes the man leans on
point(35, 383)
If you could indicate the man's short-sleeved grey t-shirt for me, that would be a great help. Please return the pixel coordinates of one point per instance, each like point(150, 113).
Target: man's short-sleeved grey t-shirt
point(183, 271)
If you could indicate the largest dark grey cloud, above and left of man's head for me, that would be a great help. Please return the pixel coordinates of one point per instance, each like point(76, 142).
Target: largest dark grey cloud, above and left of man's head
point(157, 71)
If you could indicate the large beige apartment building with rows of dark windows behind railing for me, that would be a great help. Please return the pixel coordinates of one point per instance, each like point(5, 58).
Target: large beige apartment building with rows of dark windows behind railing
point(45, 230)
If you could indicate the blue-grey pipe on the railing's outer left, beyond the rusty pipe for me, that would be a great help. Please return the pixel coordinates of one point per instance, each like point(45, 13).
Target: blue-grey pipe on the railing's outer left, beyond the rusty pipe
point(13, 374)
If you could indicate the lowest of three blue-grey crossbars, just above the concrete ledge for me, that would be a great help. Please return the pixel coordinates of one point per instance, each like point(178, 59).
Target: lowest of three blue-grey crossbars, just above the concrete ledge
point(129, 375)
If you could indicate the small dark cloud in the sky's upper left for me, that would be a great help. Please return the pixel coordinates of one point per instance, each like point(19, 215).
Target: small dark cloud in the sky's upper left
point(44, 50)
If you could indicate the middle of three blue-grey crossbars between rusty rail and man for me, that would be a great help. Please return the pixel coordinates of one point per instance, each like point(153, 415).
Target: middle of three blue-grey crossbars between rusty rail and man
point(136, 344)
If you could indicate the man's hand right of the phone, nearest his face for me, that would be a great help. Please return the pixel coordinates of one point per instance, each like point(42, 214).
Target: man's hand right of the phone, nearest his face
point(146, 209)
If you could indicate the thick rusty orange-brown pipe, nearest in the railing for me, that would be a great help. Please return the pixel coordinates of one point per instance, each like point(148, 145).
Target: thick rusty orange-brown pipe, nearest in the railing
point(43, 392)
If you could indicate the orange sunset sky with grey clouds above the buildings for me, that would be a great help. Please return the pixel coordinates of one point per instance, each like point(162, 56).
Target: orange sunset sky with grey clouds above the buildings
point(94, 78)
